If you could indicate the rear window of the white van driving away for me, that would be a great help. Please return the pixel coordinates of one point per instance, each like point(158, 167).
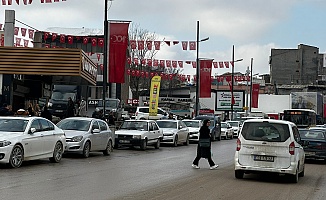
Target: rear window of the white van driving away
point(265, 131)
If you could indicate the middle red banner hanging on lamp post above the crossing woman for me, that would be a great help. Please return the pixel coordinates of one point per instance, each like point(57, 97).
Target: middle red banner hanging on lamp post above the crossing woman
point(205, 78)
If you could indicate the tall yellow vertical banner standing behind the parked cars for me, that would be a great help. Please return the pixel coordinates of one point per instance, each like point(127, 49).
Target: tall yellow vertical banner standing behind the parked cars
point(154, 95)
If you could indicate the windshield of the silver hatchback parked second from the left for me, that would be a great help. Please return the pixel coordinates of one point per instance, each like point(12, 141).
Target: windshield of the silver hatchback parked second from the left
point(73, 124)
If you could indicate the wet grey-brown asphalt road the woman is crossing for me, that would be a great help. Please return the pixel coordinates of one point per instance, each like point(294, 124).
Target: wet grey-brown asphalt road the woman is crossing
point(165, 173)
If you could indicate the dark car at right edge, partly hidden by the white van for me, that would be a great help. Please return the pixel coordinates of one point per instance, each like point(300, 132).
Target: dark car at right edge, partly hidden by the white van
point(314, 143)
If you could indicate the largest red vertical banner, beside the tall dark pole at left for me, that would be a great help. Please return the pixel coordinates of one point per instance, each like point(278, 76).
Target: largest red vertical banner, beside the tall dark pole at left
point(118, 50)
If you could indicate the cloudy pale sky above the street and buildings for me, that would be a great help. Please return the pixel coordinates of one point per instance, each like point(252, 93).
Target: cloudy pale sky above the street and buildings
point(252, 26)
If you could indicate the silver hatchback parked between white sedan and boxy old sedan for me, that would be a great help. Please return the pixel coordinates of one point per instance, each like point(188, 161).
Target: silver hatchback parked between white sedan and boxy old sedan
point(85, 135)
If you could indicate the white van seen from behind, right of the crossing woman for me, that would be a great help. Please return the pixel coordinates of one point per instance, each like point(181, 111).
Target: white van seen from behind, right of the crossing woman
point(268, 145)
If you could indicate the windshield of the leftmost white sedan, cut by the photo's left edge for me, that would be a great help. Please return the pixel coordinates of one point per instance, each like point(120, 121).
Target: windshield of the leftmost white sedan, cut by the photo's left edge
point(13, 125)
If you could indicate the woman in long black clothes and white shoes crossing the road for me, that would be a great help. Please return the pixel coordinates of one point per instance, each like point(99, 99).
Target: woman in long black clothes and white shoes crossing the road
point(204, 146)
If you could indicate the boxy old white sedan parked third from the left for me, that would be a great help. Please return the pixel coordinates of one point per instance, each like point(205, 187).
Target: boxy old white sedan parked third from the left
point(140, 133)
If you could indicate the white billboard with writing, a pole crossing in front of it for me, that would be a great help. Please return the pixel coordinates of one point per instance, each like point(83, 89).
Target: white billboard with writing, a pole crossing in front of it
point(223, 100)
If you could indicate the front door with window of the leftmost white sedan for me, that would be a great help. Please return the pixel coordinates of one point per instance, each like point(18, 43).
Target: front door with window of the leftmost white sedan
point(34, 142)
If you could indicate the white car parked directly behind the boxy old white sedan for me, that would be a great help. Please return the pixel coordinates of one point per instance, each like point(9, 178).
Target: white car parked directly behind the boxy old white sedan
point(174, 131)
